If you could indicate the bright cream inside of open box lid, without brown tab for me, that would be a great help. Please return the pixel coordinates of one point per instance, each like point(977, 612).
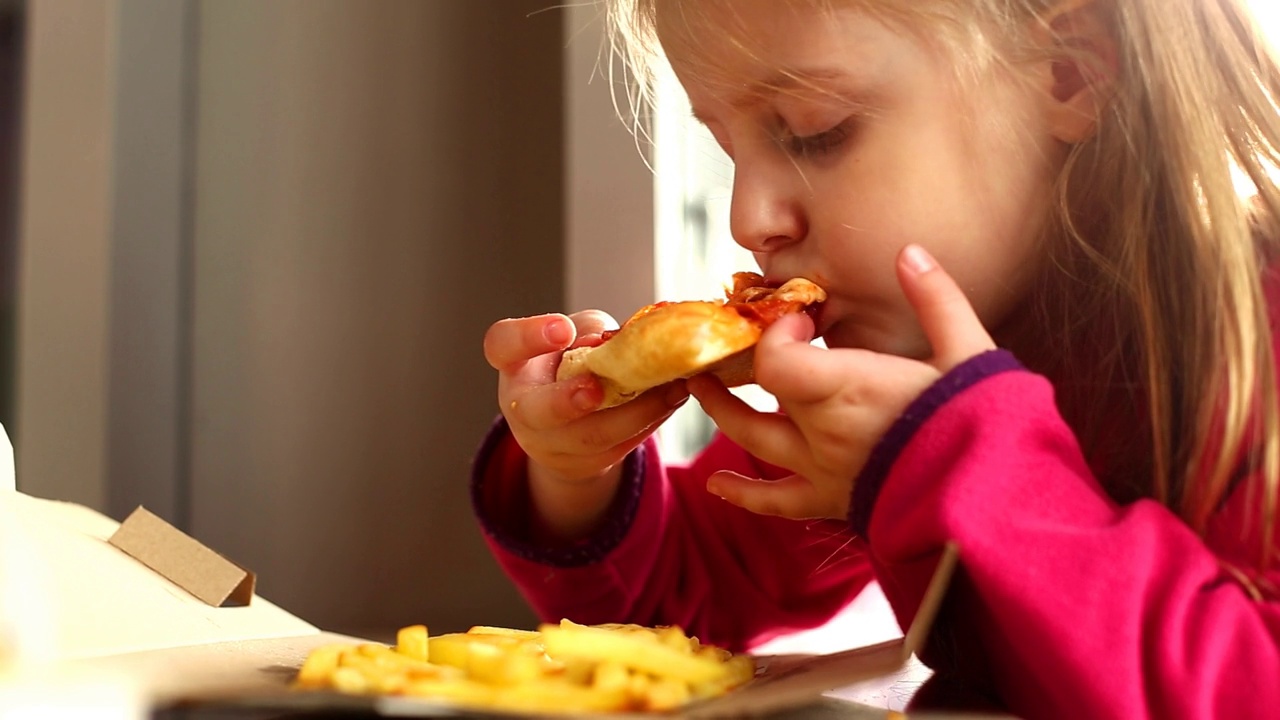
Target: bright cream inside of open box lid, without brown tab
point(66, 594)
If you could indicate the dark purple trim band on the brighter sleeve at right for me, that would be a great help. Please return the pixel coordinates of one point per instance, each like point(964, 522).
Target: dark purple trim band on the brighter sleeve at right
point(961, 379)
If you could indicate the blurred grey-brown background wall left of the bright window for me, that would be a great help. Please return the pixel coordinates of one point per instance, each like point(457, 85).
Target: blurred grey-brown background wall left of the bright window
point(259, 244)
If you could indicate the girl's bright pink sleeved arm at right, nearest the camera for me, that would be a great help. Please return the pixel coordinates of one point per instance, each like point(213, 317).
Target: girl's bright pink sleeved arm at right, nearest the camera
point(1071, 605)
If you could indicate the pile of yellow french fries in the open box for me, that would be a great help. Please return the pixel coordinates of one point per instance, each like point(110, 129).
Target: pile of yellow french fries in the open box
point(566, 668)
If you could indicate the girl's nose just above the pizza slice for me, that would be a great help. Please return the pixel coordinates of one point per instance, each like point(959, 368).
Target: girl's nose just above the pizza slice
point(765, 215)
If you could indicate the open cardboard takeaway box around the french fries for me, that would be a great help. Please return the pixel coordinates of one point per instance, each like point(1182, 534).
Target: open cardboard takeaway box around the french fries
point(112, 612)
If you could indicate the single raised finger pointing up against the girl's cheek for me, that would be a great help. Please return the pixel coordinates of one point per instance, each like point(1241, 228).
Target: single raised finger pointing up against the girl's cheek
point(945, 313)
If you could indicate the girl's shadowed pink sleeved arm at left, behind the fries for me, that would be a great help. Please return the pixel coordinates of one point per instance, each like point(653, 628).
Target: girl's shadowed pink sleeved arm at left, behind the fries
point(670, 553)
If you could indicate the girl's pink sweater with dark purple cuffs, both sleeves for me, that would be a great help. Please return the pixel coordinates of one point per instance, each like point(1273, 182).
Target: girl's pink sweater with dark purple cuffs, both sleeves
point(1068, 605)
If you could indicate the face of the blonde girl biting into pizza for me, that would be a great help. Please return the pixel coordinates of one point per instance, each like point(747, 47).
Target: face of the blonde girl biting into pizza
point(852, 140)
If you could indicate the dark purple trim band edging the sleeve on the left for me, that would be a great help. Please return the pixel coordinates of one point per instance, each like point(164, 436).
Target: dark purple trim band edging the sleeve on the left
point(587, 552)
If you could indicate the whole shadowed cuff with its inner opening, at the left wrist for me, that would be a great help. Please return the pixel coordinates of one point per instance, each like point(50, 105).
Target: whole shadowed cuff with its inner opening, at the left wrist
point(500, 498)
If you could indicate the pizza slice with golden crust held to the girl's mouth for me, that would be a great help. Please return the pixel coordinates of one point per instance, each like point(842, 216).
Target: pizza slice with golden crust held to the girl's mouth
point(668, 341)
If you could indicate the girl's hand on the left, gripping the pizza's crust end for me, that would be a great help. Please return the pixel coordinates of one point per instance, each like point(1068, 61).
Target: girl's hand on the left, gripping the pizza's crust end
point(575, 452)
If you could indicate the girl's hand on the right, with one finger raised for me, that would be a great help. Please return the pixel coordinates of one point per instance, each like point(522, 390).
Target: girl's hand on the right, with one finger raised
point(836, 404)
